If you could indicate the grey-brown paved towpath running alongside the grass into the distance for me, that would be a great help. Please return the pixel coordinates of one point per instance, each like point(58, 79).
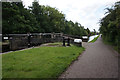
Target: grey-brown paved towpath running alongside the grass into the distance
point(98, 61)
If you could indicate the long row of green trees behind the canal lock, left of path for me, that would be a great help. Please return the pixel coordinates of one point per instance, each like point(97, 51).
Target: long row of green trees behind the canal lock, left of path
point(37, 19)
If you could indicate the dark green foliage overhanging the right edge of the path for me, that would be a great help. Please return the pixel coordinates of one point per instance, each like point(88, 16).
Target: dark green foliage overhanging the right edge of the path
point(110, 25)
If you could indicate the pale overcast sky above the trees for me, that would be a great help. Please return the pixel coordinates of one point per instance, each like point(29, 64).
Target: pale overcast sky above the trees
point(86, 12)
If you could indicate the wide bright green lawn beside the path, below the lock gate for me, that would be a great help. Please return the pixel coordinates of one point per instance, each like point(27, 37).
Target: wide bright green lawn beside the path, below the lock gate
point(42, 62)
